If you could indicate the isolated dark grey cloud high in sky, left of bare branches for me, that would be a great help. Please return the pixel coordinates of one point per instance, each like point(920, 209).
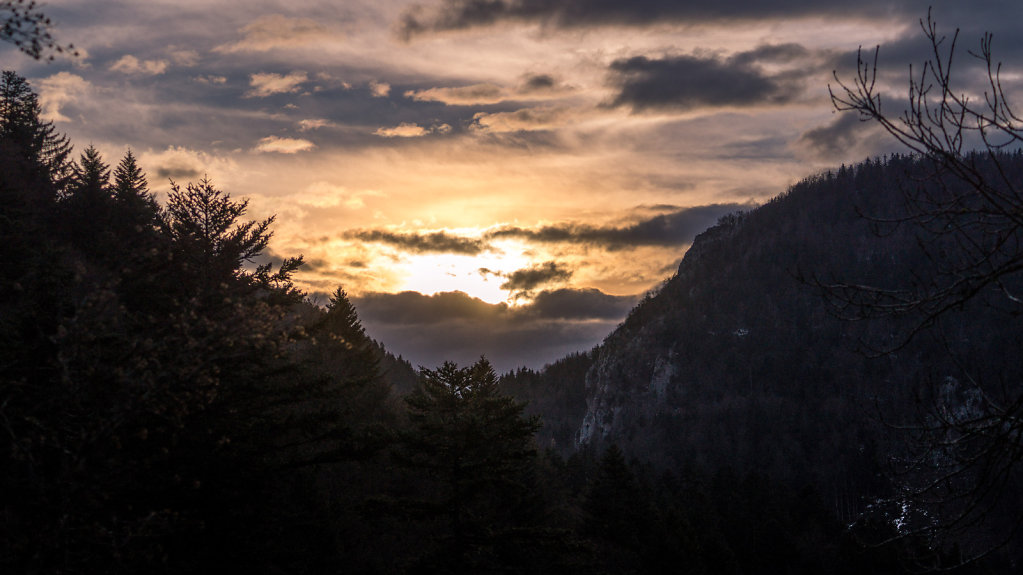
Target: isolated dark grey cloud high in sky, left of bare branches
point(687, 82)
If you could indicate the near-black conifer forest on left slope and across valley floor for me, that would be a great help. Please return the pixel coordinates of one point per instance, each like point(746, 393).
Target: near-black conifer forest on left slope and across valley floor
point(167, 407)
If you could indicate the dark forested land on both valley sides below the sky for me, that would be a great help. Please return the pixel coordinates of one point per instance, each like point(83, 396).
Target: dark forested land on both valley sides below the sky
point(785, 404)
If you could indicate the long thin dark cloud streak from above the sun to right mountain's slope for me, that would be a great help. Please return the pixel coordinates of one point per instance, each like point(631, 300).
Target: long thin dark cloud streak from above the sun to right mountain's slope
point(677, 229)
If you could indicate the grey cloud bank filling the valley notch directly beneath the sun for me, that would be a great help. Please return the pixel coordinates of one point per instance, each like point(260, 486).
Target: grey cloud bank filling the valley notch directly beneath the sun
point(429, 330)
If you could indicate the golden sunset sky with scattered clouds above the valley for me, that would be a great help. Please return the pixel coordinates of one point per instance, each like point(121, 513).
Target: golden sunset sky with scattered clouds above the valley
point(490, 178)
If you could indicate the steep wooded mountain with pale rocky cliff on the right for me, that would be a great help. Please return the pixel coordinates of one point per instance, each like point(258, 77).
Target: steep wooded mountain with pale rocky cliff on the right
point(762, 356)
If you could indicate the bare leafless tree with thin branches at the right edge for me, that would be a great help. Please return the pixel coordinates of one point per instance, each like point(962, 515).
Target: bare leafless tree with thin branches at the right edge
point(969, 222)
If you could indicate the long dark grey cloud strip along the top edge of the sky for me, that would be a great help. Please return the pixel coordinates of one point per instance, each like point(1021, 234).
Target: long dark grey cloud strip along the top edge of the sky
point(462, 15)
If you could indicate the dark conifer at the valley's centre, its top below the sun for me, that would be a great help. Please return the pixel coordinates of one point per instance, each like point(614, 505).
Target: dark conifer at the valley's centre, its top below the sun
point(474, 450)
